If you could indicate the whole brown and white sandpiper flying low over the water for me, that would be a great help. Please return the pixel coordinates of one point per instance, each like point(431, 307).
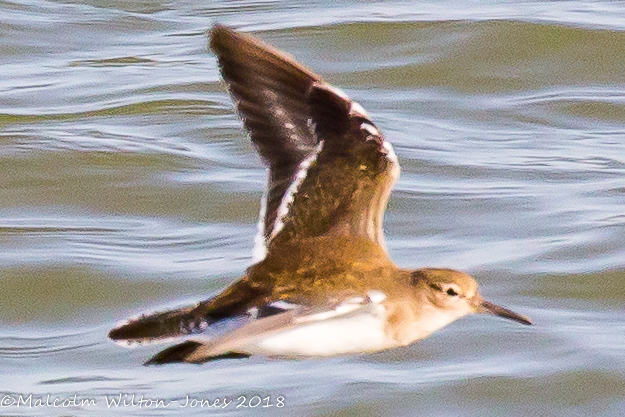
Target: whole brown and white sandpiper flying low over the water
point(322, 282)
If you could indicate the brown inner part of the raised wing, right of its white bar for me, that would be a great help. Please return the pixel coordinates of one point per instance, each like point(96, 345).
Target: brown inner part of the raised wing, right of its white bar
point(346, 188)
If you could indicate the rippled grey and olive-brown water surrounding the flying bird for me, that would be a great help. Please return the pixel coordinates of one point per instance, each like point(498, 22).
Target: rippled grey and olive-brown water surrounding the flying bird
point(126, 184)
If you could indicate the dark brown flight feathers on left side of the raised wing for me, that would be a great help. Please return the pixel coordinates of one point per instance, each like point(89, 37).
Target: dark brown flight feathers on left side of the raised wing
point(269, 89)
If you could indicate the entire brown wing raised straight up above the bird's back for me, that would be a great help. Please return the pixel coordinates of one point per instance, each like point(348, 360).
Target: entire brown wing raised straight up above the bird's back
point(330, 168)
